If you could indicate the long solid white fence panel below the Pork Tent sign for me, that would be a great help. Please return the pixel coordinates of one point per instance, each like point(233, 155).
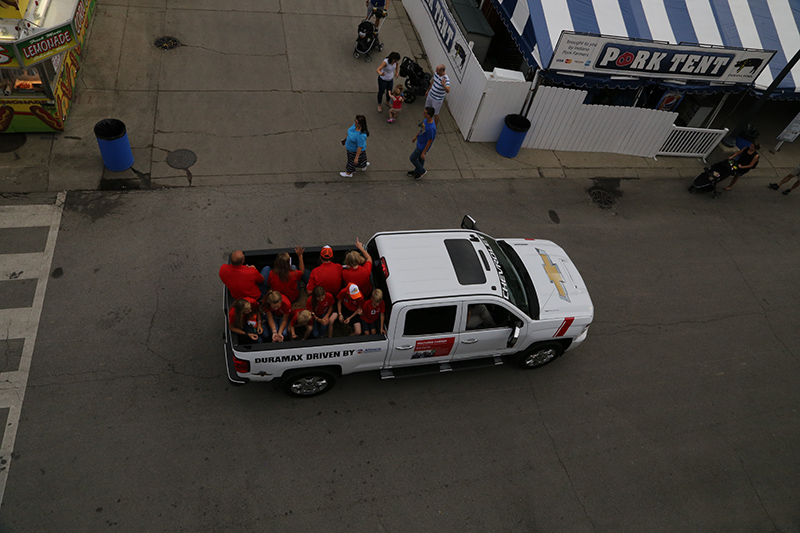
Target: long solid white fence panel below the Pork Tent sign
point(561, 121)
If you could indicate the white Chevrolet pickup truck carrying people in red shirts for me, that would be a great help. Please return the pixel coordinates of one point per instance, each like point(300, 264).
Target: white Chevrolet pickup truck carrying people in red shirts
point(454, 299)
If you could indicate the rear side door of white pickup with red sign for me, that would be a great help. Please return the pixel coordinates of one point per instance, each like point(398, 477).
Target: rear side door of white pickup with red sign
point(425, 334)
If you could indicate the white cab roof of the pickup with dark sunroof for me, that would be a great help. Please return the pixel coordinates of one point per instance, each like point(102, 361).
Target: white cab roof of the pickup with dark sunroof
point(441, 263)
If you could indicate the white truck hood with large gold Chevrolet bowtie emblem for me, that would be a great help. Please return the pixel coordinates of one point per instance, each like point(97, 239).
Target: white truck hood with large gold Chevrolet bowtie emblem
point(559, 287)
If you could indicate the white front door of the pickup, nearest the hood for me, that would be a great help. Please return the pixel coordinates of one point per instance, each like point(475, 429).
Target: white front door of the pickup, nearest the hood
point(486, 330)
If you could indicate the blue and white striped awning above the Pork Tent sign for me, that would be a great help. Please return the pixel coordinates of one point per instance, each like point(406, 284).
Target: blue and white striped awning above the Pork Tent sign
point(536, 25)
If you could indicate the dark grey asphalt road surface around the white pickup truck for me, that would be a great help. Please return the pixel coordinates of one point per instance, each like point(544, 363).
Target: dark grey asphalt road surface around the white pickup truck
point(678, 413)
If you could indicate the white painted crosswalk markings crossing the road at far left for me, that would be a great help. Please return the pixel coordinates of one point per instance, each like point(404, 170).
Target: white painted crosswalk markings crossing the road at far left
point(24, 322)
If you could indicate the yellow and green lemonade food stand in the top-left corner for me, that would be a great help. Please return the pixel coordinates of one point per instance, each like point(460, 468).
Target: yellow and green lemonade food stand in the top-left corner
point(40, 53)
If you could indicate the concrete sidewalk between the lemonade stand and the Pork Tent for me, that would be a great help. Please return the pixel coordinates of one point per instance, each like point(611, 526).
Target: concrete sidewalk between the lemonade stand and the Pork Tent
point(263, 91)
